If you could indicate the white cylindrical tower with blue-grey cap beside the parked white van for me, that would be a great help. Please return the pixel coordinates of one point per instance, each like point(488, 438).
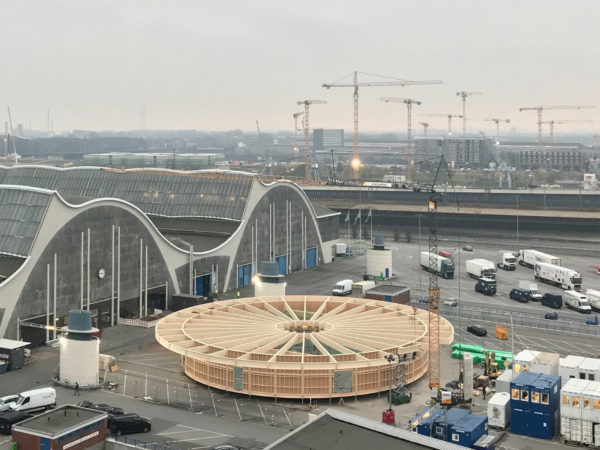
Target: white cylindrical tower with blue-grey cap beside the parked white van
point(79, 351)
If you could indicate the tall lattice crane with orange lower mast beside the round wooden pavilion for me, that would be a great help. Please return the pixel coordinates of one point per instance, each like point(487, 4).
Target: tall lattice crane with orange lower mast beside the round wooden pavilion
point(433, 297)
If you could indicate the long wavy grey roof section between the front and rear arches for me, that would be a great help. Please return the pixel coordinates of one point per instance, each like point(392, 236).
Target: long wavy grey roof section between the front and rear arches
point(160, 192)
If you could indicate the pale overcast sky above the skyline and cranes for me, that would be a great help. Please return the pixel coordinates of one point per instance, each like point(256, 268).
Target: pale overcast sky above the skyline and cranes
point(220, 65)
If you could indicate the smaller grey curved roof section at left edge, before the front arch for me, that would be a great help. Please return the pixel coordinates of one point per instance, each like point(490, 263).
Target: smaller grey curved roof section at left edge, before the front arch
point(21, 213)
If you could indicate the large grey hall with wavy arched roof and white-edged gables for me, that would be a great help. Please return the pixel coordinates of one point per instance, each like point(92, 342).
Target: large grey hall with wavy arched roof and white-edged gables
point(121, 242)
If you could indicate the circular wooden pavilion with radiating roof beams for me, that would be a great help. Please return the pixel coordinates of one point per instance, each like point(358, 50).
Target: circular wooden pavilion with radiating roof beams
point(301, 346)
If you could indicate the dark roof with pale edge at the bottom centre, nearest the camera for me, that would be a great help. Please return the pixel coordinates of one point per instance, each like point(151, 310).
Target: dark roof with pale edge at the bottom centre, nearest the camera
point(339, 430)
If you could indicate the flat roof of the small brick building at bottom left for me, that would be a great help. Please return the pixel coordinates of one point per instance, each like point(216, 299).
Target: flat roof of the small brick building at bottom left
point(60, 421)
